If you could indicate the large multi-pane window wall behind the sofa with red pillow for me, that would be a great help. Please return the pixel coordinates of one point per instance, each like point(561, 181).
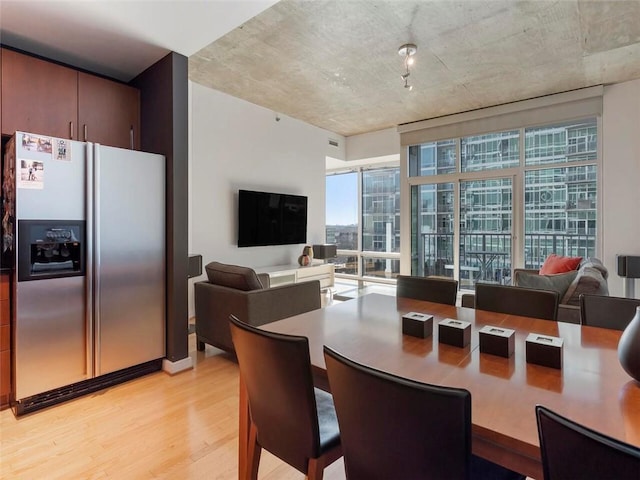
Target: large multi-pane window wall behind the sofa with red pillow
point(481, 204)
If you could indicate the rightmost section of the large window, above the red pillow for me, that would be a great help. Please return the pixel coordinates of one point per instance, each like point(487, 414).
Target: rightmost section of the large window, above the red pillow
point(560, 190)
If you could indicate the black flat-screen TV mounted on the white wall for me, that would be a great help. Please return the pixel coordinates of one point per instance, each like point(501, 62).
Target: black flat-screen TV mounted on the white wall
point(271, 219)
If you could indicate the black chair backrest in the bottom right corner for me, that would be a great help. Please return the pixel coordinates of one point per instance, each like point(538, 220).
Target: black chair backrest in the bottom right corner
point(570, 450)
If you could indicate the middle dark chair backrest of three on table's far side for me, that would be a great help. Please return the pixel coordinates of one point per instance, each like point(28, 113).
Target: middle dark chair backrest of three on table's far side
point(528, 302)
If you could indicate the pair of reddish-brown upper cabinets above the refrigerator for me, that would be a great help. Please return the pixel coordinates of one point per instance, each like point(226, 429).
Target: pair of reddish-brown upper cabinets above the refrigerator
point(50, 99)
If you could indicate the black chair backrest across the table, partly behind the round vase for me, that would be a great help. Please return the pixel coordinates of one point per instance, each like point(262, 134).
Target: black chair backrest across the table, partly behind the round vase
point(607, 312)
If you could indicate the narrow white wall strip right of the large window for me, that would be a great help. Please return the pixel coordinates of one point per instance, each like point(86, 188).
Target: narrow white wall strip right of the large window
point(620, 178)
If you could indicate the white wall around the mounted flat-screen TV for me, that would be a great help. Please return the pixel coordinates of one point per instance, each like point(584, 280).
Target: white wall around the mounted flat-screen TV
point(238, 145)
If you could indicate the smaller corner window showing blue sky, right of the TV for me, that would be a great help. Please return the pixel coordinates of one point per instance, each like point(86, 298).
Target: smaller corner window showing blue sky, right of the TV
point(363, 220)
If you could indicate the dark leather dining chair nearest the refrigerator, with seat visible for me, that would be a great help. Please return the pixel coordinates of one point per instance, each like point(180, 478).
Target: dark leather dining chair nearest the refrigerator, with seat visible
point(288, 416)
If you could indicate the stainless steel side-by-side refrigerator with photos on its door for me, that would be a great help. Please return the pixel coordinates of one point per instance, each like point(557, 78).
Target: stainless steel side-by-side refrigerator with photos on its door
point(89, 278)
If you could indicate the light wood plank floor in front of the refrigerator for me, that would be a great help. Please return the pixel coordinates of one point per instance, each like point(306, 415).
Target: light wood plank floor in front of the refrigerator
point(181, 427)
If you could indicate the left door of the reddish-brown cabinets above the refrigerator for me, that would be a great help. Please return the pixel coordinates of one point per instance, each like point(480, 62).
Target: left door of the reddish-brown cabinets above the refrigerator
point(38, 96)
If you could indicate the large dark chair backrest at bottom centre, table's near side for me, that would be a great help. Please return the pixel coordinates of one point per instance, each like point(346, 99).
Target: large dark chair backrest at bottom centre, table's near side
point(391, 427)
